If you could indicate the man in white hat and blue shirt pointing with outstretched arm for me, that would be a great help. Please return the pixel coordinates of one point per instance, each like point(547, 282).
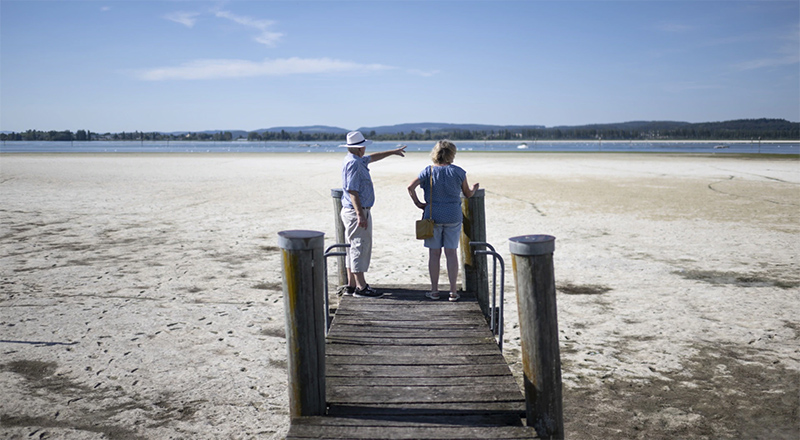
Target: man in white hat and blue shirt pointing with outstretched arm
point(358, 196)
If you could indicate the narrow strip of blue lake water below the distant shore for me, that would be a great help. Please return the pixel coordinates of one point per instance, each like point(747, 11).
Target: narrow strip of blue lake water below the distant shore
point(332, 147)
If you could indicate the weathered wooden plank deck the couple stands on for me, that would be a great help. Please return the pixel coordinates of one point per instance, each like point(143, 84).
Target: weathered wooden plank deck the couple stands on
point(405, 367)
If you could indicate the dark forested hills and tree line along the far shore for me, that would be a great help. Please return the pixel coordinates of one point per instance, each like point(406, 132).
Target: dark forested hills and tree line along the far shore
point(742, 129)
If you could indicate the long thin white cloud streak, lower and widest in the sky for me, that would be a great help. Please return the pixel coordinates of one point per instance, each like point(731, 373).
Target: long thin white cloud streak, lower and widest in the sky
point(221, 68)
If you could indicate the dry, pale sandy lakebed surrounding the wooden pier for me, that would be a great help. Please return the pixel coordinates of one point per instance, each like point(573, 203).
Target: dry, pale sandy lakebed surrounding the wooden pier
point(140, 295)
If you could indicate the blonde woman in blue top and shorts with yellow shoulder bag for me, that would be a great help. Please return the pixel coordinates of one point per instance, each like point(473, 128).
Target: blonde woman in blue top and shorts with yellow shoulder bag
point(449, 182)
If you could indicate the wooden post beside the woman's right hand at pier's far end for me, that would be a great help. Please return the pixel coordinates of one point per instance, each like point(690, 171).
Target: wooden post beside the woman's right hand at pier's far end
point(475, 269)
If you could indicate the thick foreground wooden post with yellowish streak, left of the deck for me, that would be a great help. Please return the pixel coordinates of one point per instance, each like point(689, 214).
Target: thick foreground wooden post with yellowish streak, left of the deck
point(304, 307)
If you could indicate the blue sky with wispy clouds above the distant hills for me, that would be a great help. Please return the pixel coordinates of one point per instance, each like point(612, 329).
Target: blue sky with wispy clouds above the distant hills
point(127, 65)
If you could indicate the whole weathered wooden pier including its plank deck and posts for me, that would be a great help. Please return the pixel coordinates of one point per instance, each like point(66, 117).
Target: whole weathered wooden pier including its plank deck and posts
point(403, 366)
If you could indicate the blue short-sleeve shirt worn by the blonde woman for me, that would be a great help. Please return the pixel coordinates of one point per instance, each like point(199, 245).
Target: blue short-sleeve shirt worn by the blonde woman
point(446, 193)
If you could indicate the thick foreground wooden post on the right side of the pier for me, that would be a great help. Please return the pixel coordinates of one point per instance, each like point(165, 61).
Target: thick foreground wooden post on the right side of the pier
point(532, 258)
